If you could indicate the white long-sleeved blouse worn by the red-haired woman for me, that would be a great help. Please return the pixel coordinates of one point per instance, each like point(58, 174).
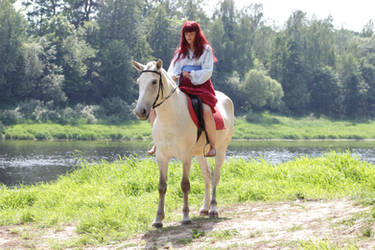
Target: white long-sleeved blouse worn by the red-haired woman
point(197, 77)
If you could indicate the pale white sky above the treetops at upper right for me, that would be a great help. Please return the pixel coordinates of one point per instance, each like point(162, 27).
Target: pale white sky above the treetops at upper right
point(348, 14)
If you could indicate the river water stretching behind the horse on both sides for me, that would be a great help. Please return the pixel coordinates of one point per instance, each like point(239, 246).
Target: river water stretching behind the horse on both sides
point(28, 162)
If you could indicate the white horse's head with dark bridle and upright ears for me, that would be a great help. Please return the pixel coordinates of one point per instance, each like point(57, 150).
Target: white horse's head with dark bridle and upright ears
point(150, 85)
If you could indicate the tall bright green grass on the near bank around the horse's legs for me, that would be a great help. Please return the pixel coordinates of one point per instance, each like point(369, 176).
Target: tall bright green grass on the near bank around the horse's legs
point(107, 202)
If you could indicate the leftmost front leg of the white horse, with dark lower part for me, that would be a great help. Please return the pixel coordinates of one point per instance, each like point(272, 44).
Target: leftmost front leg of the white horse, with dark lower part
point(163, 169)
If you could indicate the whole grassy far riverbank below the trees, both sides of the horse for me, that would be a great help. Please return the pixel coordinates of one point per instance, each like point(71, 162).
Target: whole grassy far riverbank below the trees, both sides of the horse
point(262, 126)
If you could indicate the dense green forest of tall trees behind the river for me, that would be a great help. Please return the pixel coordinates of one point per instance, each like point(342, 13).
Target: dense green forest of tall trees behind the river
point(69, 61)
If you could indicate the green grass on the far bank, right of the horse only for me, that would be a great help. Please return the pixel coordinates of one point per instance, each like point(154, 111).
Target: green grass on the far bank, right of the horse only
point(268, 126)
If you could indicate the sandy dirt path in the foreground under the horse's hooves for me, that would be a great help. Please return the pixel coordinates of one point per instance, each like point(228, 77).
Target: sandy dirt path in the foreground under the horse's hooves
point(283, 225)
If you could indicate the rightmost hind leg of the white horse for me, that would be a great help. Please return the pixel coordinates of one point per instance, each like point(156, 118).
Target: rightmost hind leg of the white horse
point(219, 160)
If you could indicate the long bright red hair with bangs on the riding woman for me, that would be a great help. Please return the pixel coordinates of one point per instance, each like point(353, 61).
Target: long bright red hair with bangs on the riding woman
point(199, 42)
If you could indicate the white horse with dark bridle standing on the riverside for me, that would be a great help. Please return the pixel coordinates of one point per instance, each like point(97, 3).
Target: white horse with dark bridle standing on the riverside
point(175, 134)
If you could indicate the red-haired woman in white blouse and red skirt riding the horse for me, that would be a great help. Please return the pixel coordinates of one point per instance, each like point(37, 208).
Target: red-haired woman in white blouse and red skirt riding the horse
point(192, 65)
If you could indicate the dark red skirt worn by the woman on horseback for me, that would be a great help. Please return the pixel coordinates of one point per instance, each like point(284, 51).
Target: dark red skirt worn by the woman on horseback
point(205, 91)
